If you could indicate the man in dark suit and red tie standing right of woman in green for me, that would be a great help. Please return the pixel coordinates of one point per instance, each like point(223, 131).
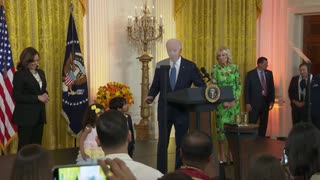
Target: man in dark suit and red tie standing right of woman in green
point(259, 94)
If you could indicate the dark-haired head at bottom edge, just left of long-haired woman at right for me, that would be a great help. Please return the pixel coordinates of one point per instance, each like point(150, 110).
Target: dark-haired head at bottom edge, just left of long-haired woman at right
point(266, 167)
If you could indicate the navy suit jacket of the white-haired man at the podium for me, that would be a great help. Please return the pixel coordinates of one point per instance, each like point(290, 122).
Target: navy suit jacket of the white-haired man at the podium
point(188, 74)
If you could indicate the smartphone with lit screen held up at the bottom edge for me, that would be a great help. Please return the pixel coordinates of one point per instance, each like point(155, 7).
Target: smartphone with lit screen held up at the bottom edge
point(78, 172)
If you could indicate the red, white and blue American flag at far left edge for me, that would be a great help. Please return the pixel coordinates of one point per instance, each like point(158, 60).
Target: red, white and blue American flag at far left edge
point(7, 128)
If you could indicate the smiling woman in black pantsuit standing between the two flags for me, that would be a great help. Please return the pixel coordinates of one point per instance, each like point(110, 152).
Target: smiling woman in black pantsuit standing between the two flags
point(30, 95)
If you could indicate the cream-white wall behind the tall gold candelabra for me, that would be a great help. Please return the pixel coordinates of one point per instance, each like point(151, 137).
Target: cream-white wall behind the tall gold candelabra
point(109, 56)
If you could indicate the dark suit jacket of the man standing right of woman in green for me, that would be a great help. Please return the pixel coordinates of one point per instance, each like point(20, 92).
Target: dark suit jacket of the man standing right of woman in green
point(253, 88)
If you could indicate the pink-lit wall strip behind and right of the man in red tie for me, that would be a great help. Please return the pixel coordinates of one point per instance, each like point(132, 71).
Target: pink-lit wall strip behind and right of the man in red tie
point(272, 43)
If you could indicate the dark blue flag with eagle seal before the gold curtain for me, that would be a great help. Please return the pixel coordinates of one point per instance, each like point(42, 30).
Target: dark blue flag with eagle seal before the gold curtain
point(74, 82)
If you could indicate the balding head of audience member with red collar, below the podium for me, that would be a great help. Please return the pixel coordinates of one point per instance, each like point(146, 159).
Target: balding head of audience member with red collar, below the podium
point(196, 151)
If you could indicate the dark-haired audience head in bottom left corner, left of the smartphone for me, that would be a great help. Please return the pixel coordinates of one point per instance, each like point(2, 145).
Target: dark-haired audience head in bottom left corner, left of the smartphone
point(32, 162)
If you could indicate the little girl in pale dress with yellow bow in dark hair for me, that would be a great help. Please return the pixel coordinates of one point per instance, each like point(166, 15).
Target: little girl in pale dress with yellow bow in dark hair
point(89, 150)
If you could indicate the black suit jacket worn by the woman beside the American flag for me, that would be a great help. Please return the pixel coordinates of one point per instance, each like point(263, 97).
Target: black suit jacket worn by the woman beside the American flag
point(28, 110)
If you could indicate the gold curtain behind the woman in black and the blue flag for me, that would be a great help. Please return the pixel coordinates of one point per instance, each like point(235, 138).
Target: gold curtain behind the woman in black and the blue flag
point(43, 24)
